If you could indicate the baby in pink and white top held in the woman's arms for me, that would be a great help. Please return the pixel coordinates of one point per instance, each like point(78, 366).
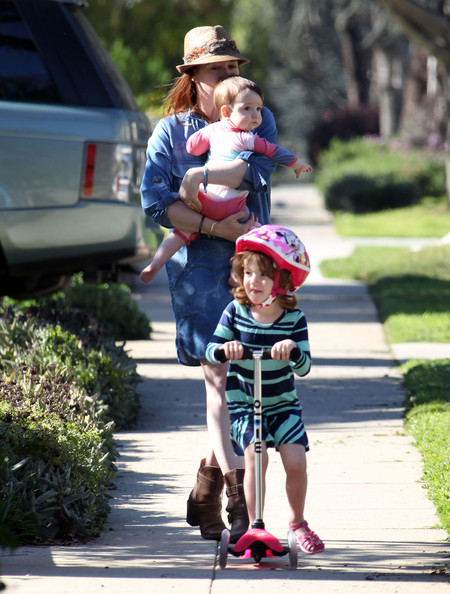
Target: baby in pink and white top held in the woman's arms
point(239, 103)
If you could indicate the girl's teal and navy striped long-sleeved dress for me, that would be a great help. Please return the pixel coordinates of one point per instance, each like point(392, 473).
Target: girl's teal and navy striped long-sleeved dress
point(282, 412)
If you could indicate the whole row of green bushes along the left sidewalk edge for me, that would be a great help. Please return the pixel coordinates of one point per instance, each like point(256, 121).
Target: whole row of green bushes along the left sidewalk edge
point(66, 385)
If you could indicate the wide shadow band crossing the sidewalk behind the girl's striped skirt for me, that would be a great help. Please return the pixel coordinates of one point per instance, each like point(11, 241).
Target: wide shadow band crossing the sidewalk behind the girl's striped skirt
point(180, 404)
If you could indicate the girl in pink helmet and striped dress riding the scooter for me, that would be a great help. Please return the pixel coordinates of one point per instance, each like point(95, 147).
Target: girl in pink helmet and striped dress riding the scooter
point(271, 263)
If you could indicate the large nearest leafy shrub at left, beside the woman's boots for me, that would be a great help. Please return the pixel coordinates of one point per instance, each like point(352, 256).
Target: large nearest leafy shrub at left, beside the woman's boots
point(56, 446)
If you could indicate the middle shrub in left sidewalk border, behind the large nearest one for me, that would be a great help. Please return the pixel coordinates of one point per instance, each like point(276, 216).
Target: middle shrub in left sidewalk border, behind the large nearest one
point(99, 366)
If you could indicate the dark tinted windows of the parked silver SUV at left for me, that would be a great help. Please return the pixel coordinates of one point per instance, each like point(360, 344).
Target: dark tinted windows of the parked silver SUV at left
point(49, 53)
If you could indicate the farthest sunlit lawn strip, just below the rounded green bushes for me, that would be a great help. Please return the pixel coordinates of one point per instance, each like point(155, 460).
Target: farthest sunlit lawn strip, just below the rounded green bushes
point(430, 218)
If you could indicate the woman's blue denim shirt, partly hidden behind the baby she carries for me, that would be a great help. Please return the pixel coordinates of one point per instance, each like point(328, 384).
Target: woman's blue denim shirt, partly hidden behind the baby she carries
point(168, 161)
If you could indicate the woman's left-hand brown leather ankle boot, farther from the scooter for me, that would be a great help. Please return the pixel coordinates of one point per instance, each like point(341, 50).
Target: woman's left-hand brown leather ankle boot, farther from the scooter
point(204, 506)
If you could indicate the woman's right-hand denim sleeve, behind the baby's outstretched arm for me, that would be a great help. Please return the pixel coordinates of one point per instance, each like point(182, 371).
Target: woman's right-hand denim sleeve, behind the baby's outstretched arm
point(260, 168)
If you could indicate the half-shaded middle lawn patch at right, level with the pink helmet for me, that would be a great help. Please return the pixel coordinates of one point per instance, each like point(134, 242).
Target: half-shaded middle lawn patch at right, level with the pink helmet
point(411, 289)
